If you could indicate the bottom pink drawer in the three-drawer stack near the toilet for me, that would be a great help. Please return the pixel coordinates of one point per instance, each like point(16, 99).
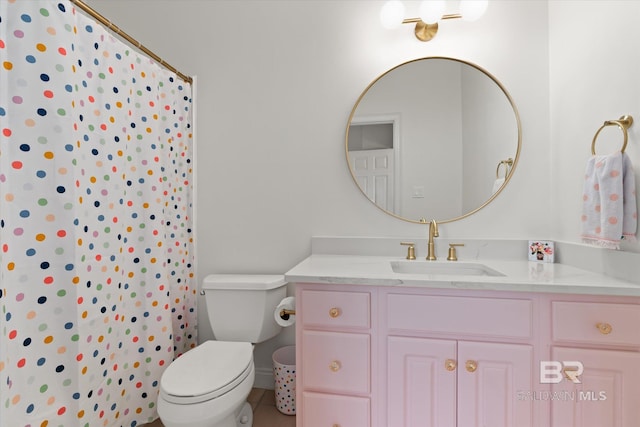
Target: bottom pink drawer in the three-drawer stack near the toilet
point(326, 410)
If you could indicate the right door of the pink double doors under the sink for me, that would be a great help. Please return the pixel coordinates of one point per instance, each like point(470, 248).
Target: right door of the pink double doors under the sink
point(490, 375)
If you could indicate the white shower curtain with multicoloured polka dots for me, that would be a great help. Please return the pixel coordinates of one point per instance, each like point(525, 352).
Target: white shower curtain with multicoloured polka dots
point(97, 294)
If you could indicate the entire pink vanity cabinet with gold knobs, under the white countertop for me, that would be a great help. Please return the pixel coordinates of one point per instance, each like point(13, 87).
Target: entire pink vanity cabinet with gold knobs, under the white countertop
point(414, 356)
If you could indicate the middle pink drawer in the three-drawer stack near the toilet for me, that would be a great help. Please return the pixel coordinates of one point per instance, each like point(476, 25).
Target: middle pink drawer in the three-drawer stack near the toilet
point(336, 362)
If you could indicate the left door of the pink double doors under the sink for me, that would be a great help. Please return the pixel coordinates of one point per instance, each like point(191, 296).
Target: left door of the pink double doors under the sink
point(421, 390)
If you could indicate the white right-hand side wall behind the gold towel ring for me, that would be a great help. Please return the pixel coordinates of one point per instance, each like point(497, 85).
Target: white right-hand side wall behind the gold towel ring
point(595, 76)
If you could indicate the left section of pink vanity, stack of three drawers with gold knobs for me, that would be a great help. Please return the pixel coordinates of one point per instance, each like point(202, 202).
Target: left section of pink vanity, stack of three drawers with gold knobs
point(335, 339)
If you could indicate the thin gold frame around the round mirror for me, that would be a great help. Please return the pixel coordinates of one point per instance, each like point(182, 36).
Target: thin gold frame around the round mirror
point(512, 161)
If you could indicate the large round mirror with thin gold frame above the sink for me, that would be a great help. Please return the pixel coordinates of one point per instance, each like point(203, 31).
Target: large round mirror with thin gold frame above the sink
point(433, 138)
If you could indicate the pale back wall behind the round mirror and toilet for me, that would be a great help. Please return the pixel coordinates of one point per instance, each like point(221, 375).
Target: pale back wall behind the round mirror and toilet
point(276, 83)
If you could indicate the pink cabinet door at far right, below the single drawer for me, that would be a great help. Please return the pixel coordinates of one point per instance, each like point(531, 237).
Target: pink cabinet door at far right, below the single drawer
point(608, 393)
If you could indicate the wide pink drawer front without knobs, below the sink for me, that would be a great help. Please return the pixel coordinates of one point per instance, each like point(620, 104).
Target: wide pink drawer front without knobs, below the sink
point(495, 317)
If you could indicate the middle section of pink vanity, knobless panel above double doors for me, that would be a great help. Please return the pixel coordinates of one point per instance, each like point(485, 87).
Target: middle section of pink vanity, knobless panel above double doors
point(457, 360)
